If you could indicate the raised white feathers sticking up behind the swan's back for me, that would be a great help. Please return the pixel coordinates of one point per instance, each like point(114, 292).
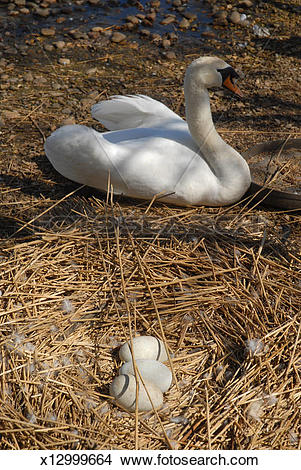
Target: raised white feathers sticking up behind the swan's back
point(127, 112)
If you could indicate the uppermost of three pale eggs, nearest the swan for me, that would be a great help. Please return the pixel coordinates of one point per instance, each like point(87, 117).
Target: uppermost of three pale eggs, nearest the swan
point(145, 347)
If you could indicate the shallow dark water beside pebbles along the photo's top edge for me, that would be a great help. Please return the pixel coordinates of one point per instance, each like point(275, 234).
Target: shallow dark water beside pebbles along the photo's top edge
point(107, 14)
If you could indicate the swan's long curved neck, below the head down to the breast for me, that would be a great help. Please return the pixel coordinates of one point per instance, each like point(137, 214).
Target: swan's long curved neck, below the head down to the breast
point(229, 167)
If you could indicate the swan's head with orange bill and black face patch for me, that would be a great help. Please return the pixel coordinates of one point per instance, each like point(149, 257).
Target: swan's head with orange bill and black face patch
point(209, 72)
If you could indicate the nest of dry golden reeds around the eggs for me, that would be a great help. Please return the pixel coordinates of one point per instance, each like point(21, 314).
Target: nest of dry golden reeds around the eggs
point(221, 287)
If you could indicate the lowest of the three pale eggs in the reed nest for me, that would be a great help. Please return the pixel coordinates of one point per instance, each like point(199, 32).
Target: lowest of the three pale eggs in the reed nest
point(123, 389)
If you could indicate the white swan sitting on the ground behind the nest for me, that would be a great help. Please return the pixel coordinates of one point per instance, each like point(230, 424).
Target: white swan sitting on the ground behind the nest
point(151, 150)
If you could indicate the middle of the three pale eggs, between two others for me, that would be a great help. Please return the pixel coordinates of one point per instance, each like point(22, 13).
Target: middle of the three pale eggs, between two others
point(153, 371)
